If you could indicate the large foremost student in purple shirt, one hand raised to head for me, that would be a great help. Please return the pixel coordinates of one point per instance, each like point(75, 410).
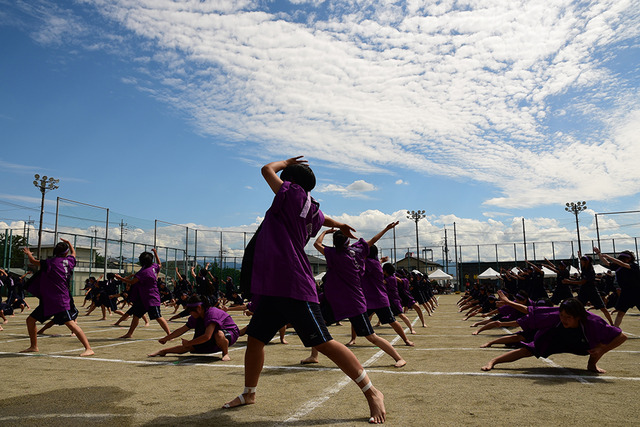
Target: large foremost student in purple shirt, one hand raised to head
point(282, 276)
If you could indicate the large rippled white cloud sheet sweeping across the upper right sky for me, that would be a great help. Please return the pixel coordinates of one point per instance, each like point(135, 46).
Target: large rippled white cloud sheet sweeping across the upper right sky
point(472, 92)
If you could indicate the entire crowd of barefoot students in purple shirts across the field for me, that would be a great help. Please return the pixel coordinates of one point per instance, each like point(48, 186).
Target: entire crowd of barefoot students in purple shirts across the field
point(279, 291)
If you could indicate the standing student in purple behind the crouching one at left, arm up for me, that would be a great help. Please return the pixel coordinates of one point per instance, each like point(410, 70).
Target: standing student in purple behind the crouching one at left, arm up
point(146, 297)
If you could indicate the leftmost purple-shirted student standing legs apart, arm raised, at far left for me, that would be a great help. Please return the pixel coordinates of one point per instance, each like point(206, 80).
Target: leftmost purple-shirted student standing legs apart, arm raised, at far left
point(52, 289)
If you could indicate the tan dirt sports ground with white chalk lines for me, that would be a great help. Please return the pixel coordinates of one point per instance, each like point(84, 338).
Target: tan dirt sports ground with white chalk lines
point(442, 383)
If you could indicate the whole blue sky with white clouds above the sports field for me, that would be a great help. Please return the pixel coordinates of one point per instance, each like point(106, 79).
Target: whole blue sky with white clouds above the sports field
point(479, 113)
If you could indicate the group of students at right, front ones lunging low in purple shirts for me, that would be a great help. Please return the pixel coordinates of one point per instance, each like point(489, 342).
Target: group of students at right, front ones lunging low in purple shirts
point(562, 323)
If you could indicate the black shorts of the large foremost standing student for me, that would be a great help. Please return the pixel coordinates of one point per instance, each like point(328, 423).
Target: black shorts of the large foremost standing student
point(275, 312)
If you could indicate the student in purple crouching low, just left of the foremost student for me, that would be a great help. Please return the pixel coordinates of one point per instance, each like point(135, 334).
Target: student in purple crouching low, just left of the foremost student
point(215, 331)
